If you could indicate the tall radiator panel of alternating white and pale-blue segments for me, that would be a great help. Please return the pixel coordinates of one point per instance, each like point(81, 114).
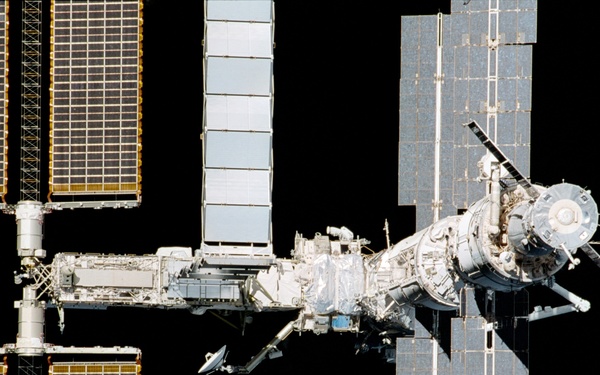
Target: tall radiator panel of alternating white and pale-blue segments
point(237, 128)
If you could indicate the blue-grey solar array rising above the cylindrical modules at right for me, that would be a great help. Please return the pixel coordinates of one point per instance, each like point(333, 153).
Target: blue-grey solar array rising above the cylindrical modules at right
point(474, 64)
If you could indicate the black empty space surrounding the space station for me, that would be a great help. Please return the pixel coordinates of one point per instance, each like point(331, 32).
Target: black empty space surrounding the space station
point(335, 163)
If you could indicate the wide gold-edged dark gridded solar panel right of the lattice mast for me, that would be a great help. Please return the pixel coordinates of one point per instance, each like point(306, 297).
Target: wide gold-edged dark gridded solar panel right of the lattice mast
point(95, 125)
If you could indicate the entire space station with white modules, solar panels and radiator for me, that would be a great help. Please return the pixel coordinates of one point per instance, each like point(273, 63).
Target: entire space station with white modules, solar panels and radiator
point(484, 232)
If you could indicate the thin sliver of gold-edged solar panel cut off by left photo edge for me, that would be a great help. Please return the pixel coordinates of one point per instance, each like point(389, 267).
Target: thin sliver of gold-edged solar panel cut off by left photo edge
point(3, 96)
